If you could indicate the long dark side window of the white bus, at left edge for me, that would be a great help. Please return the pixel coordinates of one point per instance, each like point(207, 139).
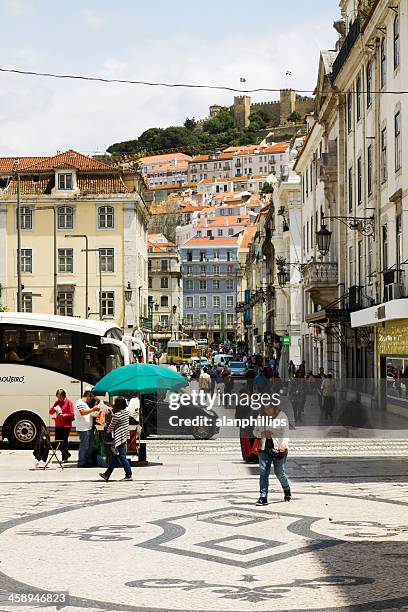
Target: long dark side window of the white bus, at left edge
point(42, 348)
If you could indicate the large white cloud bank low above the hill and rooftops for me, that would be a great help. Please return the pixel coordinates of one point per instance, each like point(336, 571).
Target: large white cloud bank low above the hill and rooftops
point(44, 115)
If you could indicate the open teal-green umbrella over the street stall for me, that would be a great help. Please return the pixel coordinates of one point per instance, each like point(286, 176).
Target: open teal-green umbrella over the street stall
point(139, 378)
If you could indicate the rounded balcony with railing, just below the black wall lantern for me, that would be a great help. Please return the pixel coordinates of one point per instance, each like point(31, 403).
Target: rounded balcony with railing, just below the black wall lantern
point(320, 281)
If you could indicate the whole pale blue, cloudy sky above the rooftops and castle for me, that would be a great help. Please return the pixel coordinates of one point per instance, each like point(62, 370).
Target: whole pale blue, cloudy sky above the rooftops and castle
point(214, 42)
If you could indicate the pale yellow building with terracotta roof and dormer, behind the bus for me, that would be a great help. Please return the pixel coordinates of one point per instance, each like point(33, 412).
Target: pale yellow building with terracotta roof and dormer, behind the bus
point(74, 211)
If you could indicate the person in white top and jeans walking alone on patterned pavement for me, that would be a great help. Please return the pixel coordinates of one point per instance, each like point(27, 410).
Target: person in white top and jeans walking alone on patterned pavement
point(273, 450)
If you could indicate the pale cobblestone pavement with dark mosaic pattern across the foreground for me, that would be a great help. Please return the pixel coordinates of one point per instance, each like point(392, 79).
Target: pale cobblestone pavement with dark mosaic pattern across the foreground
point(186, 535)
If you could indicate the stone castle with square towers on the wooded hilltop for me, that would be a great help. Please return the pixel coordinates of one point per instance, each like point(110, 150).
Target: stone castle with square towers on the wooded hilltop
point(277, 111)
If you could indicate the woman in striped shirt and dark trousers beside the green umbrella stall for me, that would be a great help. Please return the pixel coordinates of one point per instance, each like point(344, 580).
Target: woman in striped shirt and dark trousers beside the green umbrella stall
point(119, 426)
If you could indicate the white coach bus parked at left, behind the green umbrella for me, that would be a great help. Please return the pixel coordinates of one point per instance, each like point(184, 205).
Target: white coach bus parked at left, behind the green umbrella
point(42, 353)
